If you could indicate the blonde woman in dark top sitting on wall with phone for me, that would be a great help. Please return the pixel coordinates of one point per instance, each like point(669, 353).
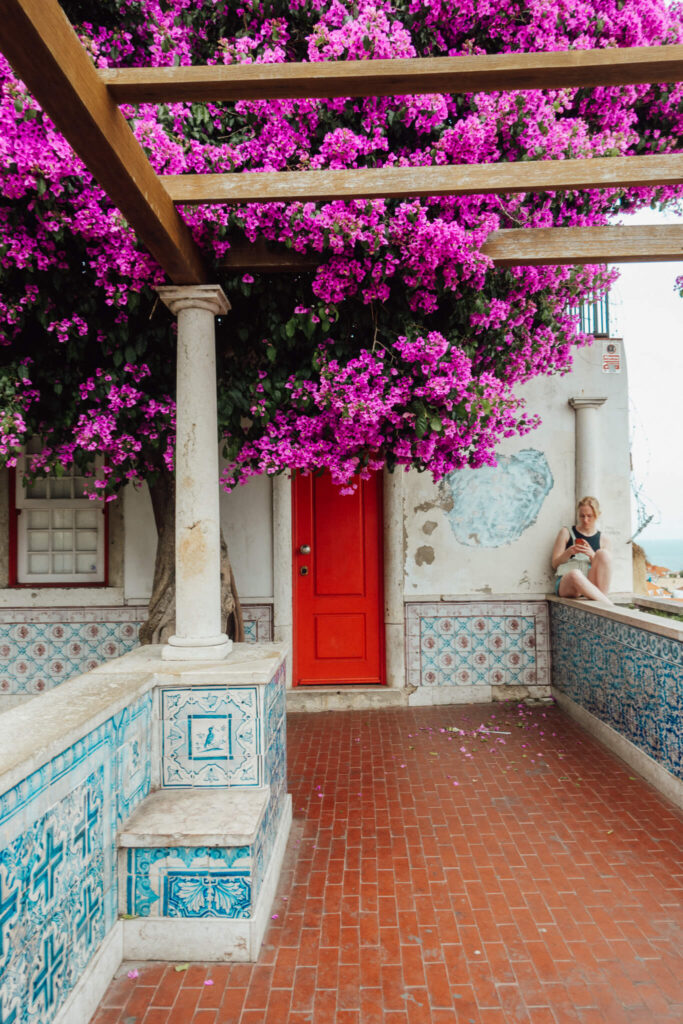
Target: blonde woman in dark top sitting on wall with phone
point(581, 557)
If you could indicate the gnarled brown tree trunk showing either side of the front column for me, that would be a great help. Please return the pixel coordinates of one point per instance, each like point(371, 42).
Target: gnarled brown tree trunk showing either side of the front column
point(160, 624)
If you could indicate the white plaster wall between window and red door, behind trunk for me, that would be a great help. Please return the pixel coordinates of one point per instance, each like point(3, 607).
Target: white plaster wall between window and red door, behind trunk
point(246, 517)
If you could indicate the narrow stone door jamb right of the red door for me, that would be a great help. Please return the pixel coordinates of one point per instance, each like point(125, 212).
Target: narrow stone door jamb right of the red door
point(395, 615)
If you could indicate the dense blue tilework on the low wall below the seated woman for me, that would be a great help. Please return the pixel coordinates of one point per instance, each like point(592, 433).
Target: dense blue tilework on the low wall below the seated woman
point(628, 677)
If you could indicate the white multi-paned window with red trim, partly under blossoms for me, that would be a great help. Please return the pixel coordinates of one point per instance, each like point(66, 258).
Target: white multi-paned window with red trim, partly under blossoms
point(60, 532)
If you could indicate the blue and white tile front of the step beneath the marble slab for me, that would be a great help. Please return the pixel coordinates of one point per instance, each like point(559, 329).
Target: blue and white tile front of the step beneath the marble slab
point(198, 882)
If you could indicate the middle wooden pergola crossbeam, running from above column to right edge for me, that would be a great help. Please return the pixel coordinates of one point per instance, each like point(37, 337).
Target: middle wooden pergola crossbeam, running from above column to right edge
point(396, 183)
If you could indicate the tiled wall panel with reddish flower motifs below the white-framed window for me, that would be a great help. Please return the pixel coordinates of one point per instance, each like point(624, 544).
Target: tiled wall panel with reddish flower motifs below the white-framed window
point(42, 648)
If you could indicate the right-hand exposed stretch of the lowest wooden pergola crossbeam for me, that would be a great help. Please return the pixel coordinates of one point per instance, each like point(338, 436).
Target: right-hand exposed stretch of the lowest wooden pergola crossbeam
point(613, 244)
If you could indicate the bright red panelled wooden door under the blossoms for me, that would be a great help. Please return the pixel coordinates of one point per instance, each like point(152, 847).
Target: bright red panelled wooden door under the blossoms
point(338, 622)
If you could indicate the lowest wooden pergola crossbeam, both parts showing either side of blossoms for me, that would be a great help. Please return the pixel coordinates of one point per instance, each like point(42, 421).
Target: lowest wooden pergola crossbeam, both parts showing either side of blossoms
point(516, 247)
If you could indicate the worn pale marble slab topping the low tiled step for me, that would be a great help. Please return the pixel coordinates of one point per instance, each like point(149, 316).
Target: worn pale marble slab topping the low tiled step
point(196, 818)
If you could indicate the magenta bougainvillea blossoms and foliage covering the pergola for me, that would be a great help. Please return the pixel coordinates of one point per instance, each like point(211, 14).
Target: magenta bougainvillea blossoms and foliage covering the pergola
point(405, 346)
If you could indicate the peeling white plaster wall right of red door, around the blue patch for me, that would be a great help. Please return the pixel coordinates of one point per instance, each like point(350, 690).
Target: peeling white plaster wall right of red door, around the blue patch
point(437, 565)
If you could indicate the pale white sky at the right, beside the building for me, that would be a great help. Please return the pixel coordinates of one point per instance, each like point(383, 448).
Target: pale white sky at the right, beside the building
point(649, 316)
